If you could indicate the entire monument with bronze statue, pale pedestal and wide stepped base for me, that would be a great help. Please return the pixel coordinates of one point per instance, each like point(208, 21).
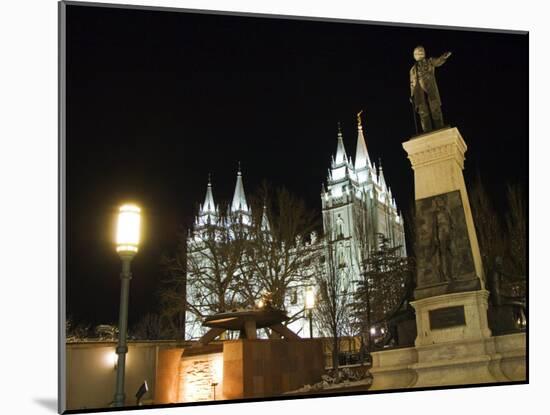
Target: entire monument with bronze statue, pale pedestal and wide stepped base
point(453, 345)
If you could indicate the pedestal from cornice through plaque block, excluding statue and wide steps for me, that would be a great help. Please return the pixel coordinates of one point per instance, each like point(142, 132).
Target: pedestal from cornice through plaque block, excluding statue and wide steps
point(450, 296)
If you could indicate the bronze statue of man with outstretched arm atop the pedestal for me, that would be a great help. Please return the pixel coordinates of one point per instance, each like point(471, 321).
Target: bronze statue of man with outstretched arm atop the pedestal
point(424, 92)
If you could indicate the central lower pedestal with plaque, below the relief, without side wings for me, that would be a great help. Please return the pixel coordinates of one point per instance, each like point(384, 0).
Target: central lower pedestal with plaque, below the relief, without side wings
point(454, 342)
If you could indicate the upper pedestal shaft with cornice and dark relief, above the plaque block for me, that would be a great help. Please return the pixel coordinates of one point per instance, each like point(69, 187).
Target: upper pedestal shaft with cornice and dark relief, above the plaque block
point(448, 258)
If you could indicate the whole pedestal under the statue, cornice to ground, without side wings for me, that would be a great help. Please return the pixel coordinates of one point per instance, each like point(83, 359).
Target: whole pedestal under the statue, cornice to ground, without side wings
point(453, 341)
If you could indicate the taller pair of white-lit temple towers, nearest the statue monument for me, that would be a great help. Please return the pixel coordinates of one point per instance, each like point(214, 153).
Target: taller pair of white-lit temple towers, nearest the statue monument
point(358, 204)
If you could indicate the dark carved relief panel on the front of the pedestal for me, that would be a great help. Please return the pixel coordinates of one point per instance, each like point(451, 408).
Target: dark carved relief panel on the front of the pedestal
point(443, 247)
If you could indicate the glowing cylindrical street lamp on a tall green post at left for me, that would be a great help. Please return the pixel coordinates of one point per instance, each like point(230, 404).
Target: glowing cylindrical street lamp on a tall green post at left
point(127, 243)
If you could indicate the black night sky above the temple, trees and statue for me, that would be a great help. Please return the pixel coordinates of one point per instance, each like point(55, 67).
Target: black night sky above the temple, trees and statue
point(156, 100)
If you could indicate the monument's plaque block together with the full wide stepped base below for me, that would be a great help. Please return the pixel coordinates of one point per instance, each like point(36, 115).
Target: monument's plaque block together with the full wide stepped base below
point(453, 346)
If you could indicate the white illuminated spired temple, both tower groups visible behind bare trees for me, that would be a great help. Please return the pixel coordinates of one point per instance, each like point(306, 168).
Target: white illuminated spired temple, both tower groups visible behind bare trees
point(356, 196)
